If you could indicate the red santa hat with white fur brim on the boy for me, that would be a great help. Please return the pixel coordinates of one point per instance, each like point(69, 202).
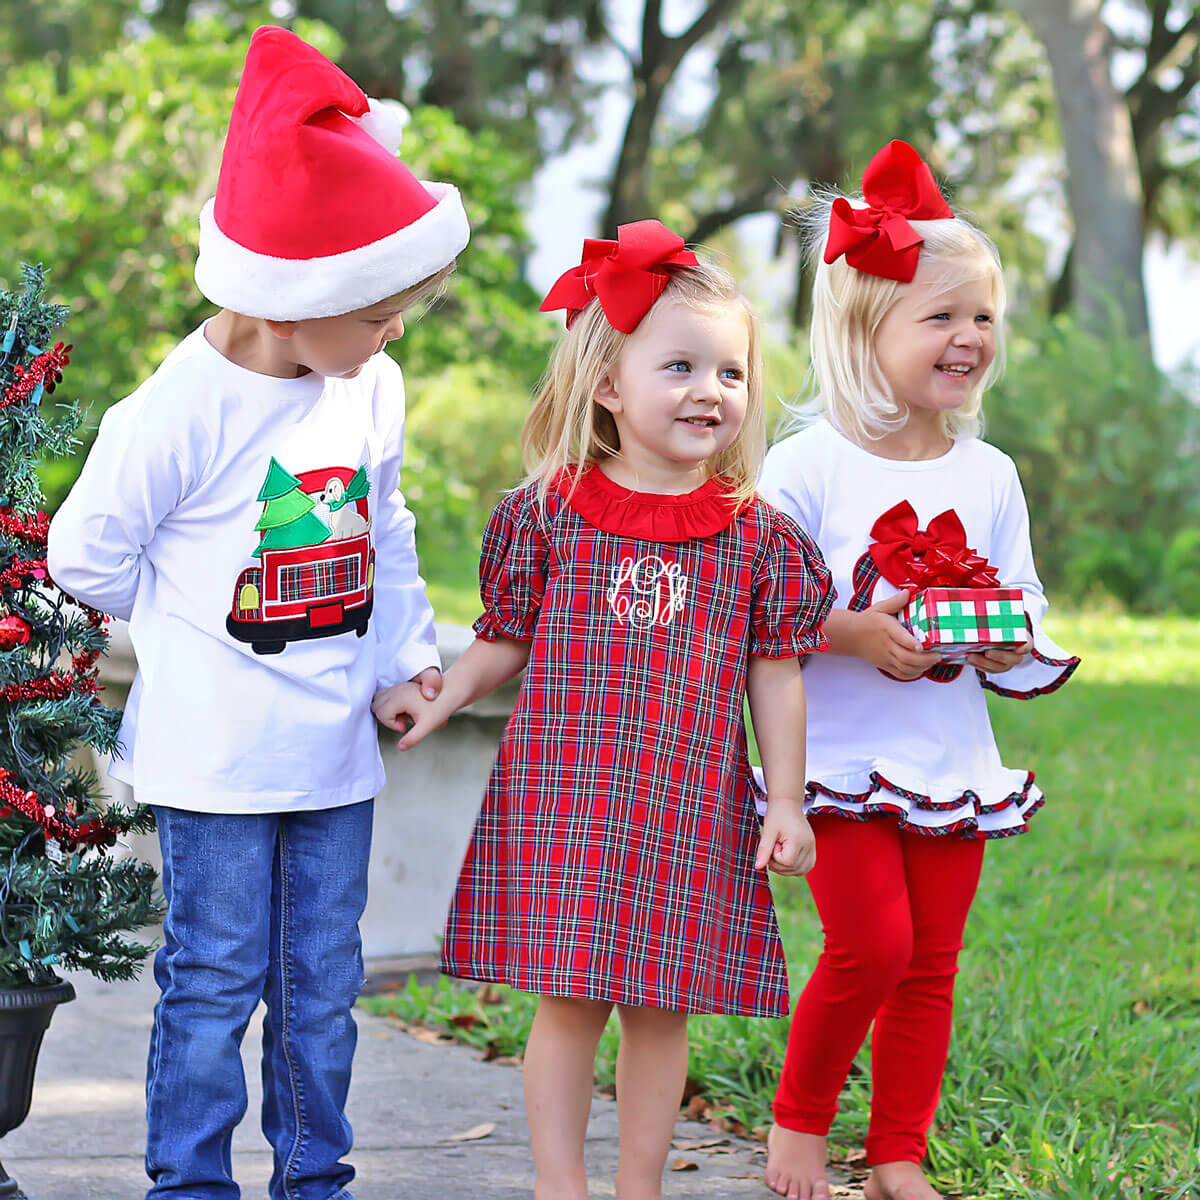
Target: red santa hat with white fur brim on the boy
point(315, 215)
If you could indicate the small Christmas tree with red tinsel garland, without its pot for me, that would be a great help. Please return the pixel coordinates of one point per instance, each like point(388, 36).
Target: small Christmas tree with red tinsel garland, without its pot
point(65, 903)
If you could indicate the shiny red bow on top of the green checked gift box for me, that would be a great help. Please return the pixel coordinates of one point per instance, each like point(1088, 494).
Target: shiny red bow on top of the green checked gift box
point(938, 557)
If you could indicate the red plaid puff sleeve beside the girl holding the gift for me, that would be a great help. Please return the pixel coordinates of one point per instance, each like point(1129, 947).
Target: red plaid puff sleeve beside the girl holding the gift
point(793, 592)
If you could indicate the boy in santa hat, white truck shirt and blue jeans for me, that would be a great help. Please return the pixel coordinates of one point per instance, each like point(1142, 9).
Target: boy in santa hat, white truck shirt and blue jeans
point(241, 511)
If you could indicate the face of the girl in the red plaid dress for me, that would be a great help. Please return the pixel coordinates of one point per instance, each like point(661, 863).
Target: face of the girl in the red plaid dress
point(679, 393)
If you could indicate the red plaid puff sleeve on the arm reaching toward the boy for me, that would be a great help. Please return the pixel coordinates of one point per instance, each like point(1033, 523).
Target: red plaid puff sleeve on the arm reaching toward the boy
point(513, 569)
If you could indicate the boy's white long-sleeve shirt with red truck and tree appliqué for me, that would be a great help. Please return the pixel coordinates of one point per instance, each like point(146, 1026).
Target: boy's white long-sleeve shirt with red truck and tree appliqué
point(255, 670)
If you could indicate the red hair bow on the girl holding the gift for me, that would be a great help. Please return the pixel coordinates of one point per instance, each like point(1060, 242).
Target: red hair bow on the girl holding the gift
point(898, 187)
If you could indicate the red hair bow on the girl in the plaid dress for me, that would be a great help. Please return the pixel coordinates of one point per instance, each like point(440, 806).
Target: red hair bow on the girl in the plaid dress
point(627, 275)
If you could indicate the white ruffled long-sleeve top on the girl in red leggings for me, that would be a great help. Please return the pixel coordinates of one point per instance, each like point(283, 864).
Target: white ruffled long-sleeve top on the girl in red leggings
point(921, 751)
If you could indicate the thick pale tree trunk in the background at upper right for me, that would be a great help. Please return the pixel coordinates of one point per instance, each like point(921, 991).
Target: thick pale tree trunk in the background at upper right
point(1103, 182)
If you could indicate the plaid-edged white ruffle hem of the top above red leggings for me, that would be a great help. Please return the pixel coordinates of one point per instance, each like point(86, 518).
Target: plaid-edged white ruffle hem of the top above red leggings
point(884, 799)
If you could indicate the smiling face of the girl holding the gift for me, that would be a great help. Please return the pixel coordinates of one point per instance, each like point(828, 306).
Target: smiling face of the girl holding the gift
point(935, 346)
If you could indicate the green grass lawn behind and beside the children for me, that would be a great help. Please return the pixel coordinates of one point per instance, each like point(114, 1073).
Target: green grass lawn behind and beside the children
point(1076, 1065)
